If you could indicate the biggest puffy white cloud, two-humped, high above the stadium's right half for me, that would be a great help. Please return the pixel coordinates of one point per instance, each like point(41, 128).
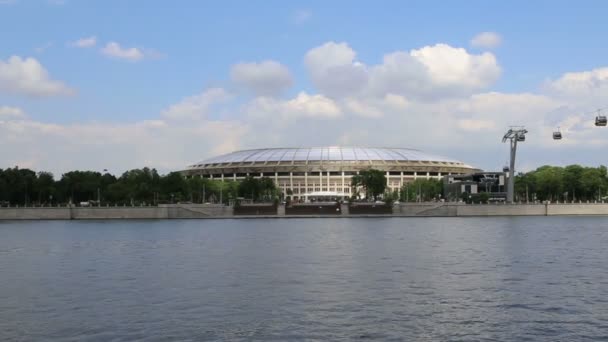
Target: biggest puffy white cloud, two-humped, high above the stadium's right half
point(430, 72)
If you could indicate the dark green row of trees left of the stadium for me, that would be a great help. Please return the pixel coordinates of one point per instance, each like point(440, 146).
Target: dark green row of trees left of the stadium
point(25, 187)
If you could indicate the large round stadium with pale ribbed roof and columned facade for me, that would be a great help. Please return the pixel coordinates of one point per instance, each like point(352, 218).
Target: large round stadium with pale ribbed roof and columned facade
point(325, 172)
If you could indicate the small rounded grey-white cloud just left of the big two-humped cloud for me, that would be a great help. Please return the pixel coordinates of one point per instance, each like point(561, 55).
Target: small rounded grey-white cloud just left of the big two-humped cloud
point(264, 78)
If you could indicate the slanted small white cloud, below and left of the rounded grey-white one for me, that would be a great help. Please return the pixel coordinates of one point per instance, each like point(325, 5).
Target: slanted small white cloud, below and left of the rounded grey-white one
point(198, 106)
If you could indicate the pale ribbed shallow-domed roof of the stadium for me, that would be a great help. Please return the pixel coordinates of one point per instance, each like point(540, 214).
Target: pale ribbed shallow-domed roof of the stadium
point(331, 153)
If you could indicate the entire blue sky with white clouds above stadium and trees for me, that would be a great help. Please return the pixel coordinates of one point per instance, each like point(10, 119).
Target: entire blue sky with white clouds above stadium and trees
point(117, 85)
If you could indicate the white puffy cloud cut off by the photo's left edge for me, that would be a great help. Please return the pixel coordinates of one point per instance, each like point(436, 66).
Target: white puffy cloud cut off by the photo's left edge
point(27, 76)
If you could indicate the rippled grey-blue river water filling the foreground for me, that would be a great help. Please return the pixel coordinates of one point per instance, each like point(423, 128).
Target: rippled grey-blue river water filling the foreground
point(410, 279)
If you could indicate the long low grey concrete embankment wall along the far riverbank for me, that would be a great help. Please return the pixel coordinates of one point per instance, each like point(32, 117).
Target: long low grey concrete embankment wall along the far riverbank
point(199, 211)
